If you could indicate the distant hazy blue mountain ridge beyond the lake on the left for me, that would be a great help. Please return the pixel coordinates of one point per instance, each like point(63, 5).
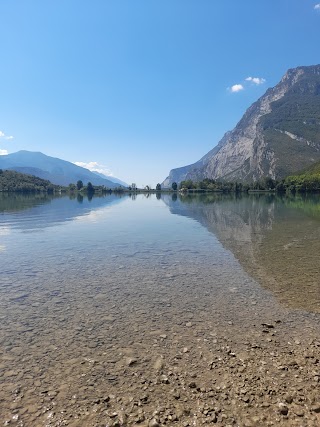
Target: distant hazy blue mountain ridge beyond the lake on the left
point(57, 171)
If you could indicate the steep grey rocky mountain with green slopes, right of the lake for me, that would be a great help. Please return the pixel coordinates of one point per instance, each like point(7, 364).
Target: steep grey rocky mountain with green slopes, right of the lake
point(278, 135)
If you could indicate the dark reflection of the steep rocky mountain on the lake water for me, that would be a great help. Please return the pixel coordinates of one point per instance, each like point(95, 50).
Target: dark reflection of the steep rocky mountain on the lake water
point(276, 240)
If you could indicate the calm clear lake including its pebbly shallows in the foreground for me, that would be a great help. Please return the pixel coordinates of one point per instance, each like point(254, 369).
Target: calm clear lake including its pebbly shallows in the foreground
point(159, 310)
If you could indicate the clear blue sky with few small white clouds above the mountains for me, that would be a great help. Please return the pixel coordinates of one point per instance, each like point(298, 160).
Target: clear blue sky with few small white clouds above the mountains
point(138, 87)
